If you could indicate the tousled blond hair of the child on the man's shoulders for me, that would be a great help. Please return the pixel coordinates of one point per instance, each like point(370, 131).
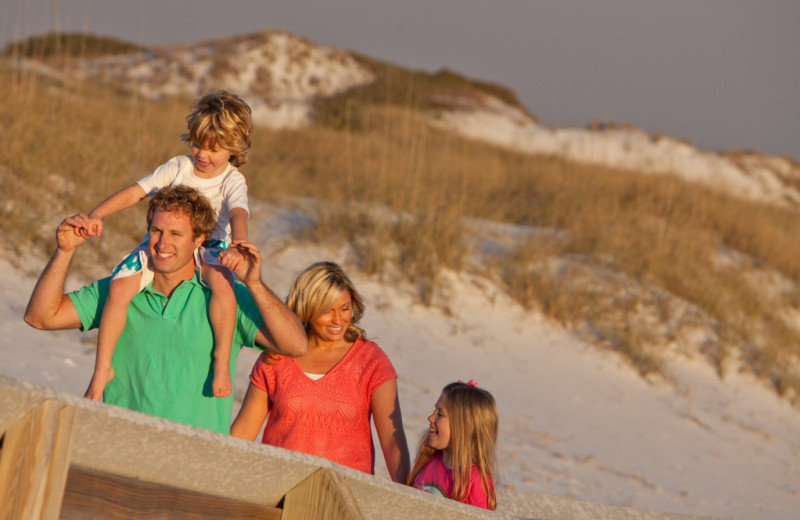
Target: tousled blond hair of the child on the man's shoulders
point(222, 118)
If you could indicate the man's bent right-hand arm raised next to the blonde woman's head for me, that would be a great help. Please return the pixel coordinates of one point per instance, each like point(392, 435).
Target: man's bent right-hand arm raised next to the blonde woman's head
point(282, 331)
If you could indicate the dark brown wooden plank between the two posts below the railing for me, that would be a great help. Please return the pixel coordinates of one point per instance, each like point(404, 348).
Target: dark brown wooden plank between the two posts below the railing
point(103, 496)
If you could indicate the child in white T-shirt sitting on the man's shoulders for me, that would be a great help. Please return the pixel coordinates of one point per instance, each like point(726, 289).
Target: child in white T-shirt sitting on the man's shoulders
point(219, 129)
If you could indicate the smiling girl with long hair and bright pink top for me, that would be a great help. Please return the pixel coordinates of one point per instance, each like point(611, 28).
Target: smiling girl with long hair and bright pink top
point(456, 455)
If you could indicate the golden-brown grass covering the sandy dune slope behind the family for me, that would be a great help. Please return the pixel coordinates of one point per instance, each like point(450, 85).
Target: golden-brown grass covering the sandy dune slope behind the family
point(640, 264)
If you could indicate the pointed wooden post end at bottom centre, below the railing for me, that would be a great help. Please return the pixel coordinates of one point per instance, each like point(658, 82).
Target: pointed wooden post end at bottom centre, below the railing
point(321, 495)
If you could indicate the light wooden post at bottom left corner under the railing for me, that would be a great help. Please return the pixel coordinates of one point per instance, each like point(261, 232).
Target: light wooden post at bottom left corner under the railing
point(34, 463)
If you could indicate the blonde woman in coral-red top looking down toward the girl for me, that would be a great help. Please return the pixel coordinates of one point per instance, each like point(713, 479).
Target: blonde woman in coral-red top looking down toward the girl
point(321, 403)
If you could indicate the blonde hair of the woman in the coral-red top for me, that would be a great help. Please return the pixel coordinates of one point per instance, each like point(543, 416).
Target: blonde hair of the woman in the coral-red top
point(316, 289)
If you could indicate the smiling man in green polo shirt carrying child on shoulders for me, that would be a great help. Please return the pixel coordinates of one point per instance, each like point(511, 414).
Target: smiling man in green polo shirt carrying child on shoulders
point(163, 362)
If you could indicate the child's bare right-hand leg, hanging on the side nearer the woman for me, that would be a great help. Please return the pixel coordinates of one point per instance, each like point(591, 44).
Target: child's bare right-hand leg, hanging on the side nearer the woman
point(222, 314)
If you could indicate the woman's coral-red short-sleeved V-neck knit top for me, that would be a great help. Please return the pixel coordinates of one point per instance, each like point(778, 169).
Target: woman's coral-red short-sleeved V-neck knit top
point(329, 417)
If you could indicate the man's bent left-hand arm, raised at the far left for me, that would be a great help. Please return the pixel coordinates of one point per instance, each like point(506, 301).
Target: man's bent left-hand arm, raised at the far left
point(49, 308)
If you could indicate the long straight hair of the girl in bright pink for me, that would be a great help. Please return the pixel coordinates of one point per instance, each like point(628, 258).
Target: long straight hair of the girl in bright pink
point(472, 414)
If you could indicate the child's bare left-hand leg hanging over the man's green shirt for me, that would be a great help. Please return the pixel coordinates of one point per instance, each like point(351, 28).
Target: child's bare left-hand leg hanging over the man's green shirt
point(112, 323)
